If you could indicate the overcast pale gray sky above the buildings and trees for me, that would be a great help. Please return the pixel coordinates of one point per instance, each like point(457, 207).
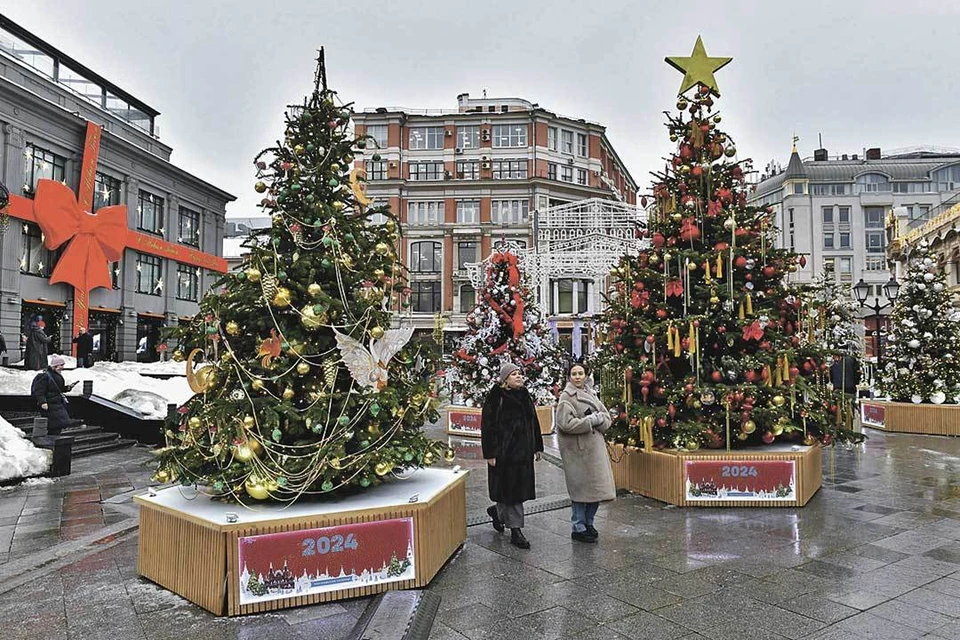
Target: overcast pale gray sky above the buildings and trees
point(865, 73)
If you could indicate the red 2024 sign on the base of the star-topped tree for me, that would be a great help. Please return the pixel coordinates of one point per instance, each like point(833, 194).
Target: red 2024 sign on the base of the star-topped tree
point(743, 480)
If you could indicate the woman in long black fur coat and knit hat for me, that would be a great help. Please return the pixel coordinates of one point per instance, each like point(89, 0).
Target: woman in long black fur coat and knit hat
point(511, 441)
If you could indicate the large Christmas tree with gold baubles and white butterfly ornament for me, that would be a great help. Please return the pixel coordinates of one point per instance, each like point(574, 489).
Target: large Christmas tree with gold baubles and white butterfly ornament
point(306, 389)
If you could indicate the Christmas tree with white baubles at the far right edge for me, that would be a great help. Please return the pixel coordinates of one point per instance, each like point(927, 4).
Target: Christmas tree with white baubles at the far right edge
point(921, 355)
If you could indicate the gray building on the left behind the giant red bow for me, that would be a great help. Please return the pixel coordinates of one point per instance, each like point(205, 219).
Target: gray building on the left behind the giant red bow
point(46, 100)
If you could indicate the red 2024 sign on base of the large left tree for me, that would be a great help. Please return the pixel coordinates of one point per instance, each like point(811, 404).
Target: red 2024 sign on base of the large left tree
point(274, 566)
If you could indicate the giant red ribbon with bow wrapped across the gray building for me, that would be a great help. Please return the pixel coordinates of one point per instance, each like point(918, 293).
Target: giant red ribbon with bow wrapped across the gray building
point(92, 240)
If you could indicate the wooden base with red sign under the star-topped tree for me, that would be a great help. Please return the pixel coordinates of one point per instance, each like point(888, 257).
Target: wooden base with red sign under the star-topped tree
point(777, 476)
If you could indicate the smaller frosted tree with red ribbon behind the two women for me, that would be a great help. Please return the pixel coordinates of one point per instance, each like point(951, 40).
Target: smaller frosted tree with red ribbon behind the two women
point(505, 326)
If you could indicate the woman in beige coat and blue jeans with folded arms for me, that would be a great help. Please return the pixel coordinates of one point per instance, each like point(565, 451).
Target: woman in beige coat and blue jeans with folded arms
point(581, 420)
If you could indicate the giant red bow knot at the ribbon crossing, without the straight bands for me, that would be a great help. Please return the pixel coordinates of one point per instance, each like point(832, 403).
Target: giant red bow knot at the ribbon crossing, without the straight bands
point(97, 240)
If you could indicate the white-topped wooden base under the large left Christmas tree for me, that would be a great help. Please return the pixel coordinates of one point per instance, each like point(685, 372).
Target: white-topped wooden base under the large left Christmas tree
point(232, 560)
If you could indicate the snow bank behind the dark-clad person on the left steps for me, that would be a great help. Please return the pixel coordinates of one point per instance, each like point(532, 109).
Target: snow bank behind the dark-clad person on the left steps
point(118, 381)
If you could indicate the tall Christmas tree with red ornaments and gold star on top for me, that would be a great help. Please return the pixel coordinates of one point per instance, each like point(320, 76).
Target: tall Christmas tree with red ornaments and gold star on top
point(708, 344)
